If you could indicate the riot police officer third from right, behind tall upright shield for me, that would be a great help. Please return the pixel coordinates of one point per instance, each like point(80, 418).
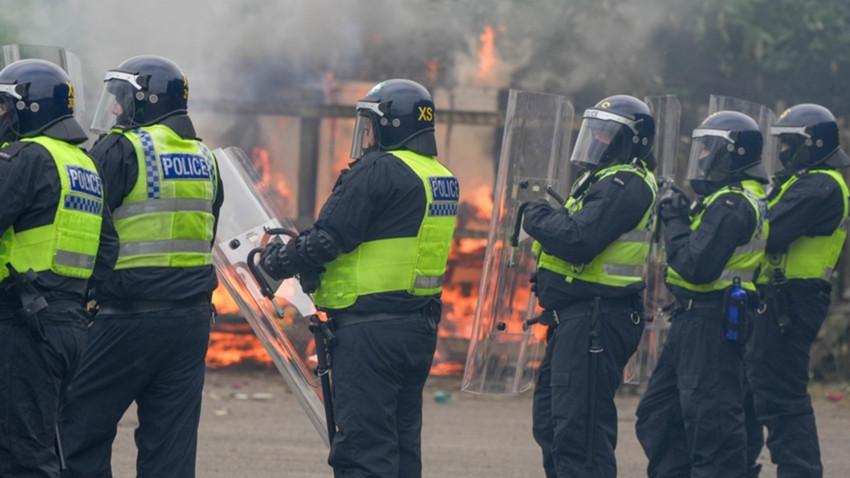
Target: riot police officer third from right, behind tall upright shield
point(589, 280)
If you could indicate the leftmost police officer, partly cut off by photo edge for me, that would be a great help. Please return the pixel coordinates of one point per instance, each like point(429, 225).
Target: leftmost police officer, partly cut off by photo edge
point(51, 223)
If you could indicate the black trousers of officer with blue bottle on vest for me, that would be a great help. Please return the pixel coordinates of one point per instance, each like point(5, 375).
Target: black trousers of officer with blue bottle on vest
point(690, 420)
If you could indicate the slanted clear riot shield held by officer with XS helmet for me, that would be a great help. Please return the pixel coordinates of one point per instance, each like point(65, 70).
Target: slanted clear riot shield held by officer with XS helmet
point(282, 324)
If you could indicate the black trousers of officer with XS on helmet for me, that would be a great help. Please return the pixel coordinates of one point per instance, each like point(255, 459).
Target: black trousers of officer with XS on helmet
point(379, 369)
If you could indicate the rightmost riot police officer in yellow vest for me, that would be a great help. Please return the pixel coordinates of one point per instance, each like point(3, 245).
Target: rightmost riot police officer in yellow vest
point(808, 210)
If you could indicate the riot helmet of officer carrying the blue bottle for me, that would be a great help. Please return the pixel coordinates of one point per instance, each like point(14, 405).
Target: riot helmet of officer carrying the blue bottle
point(725, 148)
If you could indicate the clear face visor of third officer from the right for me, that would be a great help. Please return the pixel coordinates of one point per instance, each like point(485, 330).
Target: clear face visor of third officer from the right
point(599, 139)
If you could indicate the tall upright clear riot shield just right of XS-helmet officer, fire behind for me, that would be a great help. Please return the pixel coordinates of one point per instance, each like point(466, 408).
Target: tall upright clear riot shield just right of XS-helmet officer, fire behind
point(504, 351)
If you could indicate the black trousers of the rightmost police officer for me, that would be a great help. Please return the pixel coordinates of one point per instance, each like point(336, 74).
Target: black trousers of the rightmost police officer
point(778, 371)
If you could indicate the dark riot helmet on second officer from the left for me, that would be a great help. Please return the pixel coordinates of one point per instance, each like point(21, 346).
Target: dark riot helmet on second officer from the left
point(142, 91)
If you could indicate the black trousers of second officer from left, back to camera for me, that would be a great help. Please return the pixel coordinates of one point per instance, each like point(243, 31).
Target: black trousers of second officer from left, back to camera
point(154, 359)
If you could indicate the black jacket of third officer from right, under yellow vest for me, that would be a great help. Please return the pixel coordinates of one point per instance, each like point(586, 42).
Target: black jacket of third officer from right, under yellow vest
point(612, 206)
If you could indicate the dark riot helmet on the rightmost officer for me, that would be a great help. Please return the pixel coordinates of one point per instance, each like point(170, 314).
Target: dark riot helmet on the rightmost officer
point(808, 137)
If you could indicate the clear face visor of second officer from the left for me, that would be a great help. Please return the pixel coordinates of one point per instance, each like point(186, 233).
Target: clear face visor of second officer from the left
point(116, 106)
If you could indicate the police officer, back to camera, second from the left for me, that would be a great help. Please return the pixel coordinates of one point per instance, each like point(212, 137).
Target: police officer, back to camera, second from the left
point(150, 335)
